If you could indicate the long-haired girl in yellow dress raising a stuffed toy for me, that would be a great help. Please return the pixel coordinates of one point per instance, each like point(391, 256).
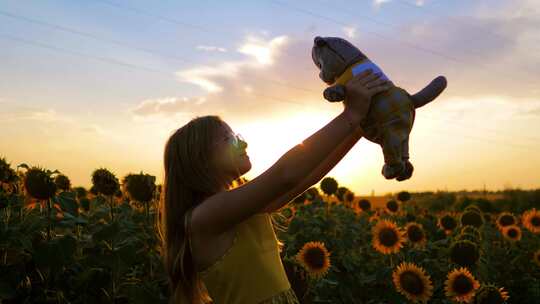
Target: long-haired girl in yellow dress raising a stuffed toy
point(218, 242)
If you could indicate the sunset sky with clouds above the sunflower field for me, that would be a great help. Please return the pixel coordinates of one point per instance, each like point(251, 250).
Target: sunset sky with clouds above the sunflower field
point(104, 83)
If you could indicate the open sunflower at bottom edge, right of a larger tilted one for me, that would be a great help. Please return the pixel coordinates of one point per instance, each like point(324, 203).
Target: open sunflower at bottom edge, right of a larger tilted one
point(460, 285)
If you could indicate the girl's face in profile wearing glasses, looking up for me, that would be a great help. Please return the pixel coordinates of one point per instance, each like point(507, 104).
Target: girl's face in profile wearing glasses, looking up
point(229, 154)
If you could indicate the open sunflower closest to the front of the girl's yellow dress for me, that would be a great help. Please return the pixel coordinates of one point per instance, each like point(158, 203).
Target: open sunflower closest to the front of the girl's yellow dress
point(315, 258)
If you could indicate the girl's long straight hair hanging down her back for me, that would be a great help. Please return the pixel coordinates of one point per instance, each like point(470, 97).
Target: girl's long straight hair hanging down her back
point(189, 178)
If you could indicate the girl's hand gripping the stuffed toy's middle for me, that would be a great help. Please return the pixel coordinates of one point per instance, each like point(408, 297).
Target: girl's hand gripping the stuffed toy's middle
point(359, 91)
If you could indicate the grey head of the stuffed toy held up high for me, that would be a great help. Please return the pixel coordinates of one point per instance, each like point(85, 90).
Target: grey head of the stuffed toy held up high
point(333, 55)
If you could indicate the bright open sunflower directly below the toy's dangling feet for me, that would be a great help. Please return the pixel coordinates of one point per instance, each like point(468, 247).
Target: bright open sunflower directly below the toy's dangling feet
point(387, 237)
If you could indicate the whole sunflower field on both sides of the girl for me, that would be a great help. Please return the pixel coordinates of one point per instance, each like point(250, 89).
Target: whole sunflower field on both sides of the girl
point(64, 244)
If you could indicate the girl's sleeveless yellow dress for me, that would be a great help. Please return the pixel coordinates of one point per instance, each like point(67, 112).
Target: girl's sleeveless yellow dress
point(251, 271)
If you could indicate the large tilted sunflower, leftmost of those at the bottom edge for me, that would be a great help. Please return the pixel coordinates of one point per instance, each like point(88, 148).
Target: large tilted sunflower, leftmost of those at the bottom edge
point(412, 282)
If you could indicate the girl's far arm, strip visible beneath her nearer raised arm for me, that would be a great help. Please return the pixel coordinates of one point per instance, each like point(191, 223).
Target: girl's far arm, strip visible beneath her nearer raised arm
point(318, 173)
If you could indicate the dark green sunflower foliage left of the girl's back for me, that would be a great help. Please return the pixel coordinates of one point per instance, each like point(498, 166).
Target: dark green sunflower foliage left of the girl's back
point(84, 257)
